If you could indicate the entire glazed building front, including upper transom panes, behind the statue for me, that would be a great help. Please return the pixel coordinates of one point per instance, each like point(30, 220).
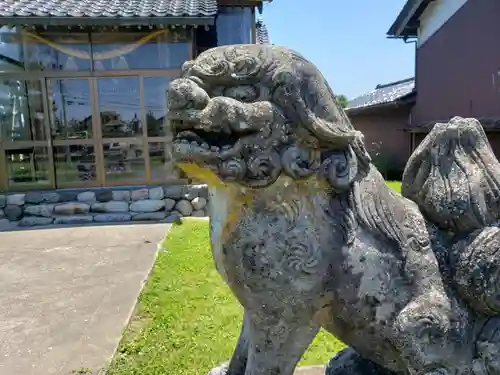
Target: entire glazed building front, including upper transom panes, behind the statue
point(88, 108)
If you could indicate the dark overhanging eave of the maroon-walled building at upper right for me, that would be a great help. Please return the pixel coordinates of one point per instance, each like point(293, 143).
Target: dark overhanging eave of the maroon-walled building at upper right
point(406, 24)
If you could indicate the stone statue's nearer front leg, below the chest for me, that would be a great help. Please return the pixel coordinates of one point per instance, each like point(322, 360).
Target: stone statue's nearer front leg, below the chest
point(277, 342)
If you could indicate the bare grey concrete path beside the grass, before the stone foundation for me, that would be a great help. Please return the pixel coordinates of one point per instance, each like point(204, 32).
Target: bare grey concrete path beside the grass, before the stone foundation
point(67, 293)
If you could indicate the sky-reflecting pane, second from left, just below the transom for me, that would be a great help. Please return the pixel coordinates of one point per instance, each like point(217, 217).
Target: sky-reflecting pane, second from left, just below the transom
point(71, 110)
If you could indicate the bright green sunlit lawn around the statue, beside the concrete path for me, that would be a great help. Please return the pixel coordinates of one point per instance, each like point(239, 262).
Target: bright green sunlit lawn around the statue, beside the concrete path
point(186, 320)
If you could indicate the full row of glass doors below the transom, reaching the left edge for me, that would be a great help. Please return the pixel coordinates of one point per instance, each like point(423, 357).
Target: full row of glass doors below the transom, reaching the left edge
point(85, 131)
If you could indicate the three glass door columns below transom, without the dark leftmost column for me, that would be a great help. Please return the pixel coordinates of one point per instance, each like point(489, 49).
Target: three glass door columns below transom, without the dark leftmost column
point(110, 131)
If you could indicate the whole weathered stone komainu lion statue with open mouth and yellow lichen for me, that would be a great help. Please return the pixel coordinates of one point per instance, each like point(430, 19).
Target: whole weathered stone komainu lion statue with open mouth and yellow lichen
point(307, 235)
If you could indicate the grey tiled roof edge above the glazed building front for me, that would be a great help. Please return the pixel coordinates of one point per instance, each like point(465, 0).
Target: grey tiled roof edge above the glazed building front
point(108, 9)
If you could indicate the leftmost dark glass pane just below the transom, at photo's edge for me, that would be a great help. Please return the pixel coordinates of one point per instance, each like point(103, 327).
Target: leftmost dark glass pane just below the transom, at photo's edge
point(21, 111)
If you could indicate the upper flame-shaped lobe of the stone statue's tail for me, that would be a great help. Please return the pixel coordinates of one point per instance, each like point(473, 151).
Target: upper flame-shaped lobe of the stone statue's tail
point(454, 177)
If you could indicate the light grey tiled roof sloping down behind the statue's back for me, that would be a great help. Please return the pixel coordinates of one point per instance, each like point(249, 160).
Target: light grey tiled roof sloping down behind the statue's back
point(383, 94)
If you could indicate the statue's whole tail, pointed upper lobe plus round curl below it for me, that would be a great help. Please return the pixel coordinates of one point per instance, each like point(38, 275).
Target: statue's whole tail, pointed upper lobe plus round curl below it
point(454, 178)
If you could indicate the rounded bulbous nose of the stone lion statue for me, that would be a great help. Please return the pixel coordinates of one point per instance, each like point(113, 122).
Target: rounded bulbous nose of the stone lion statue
point(185, 94)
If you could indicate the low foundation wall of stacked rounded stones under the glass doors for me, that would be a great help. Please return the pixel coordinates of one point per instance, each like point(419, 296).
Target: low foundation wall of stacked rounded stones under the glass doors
point(102, 205)
